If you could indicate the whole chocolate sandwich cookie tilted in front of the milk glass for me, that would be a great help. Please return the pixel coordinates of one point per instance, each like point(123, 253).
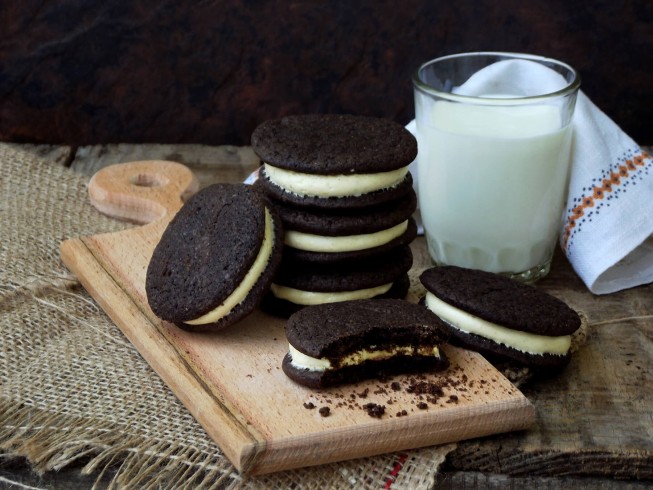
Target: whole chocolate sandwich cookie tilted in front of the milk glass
point(500, 316)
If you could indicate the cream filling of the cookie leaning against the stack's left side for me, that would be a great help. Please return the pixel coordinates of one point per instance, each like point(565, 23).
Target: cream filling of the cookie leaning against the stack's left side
point(248, 282)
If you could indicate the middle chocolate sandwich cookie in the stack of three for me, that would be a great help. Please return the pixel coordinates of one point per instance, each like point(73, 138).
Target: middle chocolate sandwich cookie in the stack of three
point(319, 235)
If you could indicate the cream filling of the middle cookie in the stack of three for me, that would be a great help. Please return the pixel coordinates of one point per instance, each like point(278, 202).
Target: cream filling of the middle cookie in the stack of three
point(349, 243)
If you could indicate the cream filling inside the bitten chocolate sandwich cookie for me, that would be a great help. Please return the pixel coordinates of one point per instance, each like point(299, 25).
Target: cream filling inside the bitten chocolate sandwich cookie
point(303, 361)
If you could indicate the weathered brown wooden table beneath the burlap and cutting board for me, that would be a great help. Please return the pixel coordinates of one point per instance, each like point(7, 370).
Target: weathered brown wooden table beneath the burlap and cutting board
point(594, 420)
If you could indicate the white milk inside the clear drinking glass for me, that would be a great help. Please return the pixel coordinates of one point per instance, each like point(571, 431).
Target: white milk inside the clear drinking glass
point(491, 183)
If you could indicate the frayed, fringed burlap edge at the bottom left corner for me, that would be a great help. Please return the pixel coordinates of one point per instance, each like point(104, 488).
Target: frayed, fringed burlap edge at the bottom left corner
point(52, 441)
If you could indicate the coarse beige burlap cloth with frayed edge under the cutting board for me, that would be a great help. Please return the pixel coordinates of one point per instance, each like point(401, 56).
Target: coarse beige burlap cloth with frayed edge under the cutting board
point(73, 389)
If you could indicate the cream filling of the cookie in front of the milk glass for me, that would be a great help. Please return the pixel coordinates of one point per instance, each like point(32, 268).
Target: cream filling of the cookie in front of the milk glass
point(523, 341)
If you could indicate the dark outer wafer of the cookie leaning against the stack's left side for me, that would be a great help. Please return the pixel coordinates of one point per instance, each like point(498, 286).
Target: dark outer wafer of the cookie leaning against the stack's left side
point(206, 251)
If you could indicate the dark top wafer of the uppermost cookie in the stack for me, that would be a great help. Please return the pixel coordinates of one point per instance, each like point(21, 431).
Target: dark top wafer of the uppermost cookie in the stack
point(334, 144)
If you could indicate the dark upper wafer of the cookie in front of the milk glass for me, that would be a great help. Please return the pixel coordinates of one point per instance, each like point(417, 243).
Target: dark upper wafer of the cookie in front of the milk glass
point(501, 300)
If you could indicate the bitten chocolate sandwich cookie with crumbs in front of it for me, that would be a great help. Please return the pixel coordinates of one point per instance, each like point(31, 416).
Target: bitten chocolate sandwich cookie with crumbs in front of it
point(346, 342)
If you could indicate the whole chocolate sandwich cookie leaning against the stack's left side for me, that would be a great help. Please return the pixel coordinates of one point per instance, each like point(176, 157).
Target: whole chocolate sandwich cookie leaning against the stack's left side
point(216, 258)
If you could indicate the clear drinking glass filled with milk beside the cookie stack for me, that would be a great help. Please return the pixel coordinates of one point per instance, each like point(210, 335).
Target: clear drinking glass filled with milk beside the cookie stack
point(494, 134)
